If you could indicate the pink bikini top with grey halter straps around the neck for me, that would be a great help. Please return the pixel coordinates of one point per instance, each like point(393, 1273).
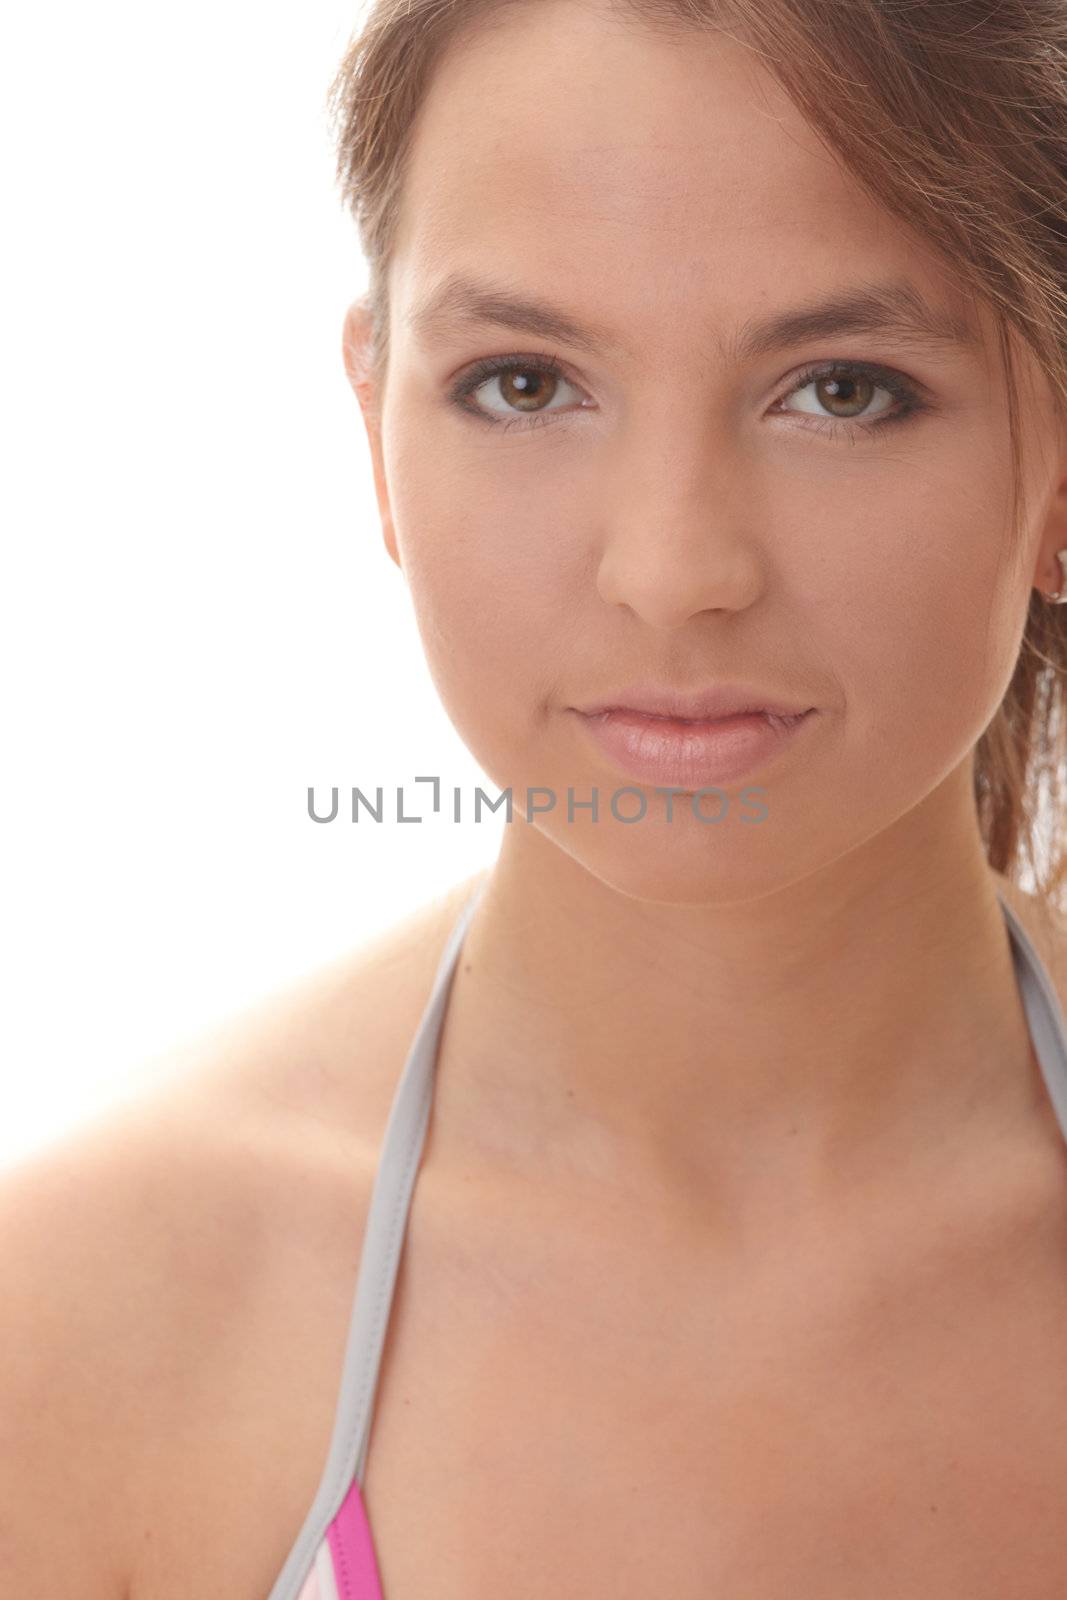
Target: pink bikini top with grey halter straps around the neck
point(334, 1556)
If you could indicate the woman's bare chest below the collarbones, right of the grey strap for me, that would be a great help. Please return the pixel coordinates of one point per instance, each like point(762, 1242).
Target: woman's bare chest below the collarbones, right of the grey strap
point(797, 1441)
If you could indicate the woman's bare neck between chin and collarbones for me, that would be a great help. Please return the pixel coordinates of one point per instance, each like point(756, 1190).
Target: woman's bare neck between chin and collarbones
point(857, 1022)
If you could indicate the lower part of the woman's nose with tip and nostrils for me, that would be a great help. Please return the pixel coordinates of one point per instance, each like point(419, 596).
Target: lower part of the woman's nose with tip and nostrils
point(673, 554)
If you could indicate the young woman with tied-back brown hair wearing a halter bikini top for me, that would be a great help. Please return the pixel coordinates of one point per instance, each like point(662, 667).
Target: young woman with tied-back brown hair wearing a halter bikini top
point(714, 370)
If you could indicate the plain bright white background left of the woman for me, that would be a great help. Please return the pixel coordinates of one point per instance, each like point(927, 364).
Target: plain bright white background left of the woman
point(198, 615)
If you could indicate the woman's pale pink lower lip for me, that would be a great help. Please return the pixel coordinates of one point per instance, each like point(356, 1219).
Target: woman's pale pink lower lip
point(692, 754)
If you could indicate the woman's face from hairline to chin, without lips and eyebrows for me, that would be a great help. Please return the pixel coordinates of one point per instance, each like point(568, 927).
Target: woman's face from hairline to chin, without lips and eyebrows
point(673, 506)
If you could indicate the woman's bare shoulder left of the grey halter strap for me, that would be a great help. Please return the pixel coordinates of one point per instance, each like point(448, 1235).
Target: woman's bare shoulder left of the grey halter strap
point(156, 1265)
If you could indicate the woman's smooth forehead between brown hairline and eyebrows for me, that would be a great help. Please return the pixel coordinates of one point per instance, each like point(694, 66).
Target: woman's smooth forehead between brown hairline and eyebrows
point(653, 175)
